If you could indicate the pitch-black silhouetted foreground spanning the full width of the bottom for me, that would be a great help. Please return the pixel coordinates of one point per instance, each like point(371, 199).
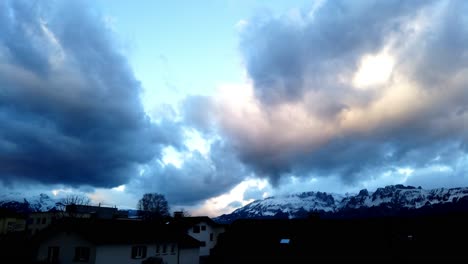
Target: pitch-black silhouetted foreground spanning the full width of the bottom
point(437, 238)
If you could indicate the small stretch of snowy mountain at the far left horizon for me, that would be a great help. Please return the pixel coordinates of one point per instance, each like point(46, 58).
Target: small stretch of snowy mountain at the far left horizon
point(35, 203)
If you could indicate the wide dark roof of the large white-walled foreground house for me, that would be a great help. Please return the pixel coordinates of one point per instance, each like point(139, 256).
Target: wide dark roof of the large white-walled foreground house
point(105, 232)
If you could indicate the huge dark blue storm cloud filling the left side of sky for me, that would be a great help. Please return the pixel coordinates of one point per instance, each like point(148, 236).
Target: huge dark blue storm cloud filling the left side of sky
point(70, 111)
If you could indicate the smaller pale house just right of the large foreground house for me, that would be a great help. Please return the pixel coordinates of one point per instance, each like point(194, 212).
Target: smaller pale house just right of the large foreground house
point(202, 228)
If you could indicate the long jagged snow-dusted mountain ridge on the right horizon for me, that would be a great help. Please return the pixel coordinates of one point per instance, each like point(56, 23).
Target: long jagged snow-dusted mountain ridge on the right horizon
point(394, 197)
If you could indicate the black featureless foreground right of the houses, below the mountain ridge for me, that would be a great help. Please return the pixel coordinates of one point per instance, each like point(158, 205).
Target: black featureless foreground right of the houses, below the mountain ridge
point(423, 238)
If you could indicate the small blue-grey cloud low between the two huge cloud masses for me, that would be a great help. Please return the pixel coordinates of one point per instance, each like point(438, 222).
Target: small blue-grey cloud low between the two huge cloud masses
point(199, 177)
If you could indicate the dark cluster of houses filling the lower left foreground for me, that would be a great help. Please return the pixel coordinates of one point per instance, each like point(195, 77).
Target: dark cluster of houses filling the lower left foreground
point(106, 238)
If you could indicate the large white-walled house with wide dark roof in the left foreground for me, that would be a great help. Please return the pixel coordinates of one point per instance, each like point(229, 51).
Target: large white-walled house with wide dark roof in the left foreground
point(98, 241)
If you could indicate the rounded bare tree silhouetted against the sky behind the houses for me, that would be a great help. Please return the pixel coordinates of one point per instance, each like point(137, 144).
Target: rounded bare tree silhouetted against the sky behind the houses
point(153, 206)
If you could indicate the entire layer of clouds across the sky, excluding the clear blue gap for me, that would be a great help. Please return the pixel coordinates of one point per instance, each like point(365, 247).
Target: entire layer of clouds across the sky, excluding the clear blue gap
point(351, 90)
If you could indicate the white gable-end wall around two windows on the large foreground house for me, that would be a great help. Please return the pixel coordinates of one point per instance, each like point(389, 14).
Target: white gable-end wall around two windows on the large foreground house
point(67, 244)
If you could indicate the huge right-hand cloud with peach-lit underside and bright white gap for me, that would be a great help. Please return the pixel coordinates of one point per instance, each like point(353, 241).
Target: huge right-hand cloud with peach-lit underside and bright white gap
point(313, 106)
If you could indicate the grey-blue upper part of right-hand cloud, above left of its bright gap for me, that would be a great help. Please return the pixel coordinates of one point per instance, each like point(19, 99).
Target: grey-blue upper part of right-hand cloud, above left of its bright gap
point(290, 55)
